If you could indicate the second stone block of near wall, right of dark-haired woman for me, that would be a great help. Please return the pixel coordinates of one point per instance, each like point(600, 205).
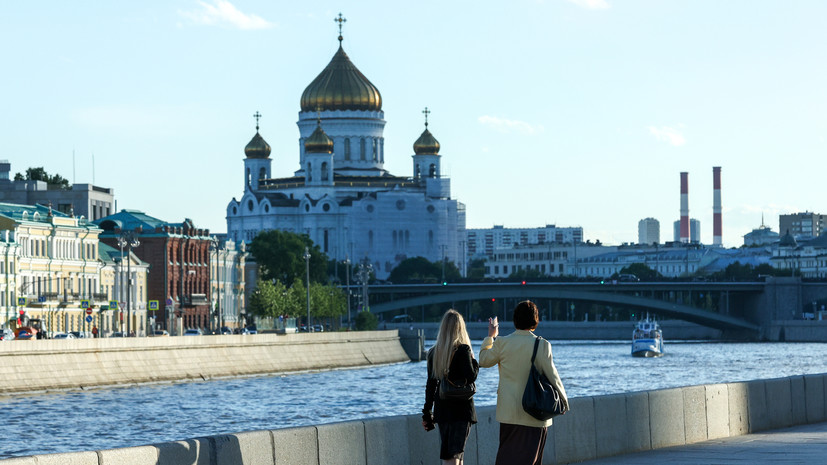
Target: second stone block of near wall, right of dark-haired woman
point(610, 425)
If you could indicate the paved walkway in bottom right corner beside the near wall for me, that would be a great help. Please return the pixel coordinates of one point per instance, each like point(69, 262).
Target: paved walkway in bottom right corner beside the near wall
point(799, 445)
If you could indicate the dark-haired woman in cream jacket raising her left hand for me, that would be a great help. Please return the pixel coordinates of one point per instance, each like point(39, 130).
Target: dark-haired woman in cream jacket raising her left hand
point(522, 437)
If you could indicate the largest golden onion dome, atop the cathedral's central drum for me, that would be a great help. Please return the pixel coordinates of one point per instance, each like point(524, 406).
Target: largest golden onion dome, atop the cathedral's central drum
point(340, 86)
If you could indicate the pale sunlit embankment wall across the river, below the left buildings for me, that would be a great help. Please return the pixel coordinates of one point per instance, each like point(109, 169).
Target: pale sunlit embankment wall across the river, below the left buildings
point(28, 366)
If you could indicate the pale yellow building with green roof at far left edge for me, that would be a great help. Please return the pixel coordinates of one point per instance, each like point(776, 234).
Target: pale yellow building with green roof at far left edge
point(53, 268)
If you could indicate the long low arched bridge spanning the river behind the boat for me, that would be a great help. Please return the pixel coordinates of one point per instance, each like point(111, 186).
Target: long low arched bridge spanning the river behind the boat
point(736, 306)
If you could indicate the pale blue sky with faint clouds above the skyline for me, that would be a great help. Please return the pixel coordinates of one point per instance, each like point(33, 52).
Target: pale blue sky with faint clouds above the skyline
point(567, 112)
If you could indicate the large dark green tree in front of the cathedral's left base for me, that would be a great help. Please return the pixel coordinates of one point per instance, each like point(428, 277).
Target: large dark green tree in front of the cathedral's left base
point(280, 256)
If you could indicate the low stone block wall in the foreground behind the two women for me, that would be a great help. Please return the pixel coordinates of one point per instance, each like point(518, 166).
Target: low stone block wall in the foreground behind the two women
point(595, 427)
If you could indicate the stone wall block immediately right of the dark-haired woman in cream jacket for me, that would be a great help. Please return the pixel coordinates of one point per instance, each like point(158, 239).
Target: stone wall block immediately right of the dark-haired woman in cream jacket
point(574, 432)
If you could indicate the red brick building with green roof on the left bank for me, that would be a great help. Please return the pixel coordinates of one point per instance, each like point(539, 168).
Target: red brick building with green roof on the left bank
point(179, 258)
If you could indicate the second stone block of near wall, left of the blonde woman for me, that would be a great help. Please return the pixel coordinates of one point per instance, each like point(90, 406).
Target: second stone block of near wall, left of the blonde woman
point(386, 440)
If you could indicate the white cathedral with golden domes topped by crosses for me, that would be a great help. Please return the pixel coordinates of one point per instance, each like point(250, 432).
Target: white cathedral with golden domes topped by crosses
point(341, 196)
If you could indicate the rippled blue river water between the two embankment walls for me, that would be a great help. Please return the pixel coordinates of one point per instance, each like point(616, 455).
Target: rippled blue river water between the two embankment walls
point(128, 416)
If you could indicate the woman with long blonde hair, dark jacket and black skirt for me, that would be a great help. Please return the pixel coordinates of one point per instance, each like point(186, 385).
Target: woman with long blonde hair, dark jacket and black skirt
point(450, 358)
